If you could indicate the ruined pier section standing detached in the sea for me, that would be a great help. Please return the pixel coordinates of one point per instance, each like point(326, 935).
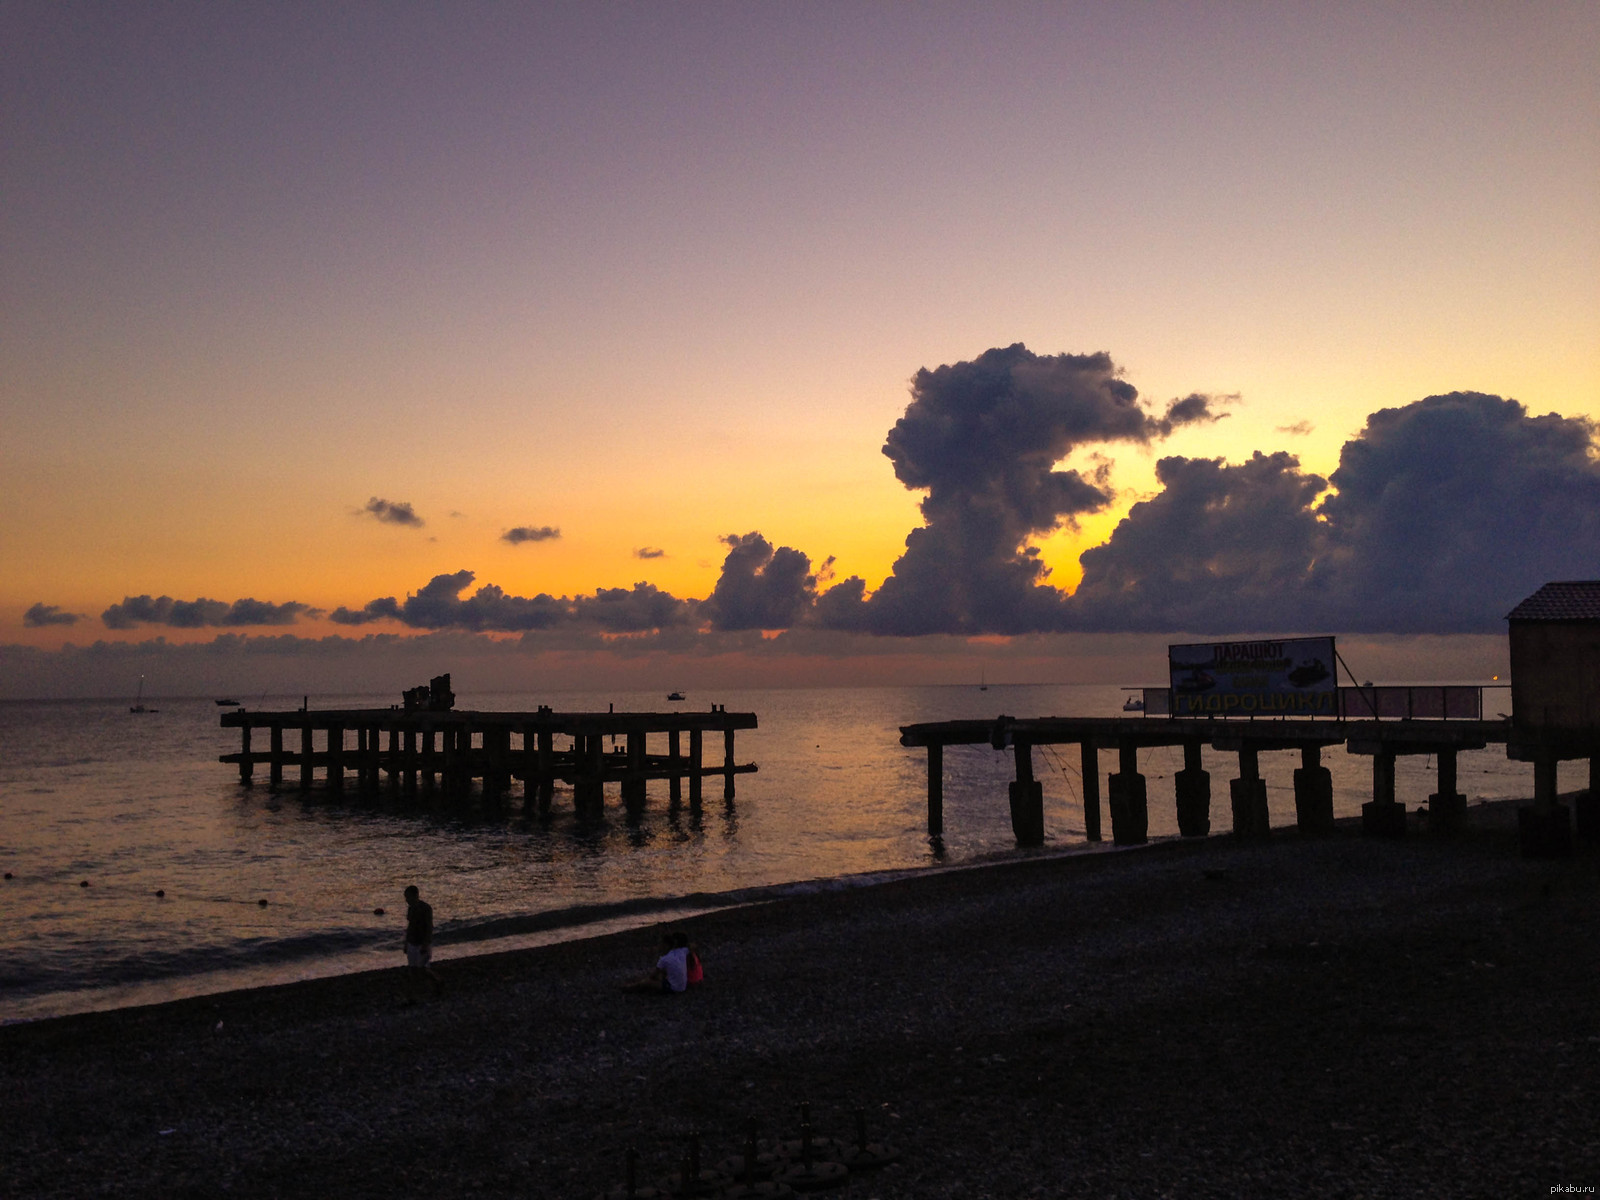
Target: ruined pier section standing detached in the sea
point(447, 750)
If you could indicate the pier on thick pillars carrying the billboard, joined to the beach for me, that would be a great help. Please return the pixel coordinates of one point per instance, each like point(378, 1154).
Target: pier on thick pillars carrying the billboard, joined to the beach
point(1129, 802)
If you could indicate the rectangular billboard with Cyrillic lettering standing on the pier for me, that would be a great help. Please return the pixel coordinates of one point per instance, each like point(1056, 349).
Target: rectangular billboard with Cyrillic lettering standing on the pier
point(1289, 678)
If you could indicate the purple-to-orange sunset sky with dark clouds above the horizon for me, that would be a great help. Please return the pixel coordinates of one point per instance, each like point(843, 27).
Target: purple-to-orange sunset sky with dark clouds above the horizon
point(310, 306)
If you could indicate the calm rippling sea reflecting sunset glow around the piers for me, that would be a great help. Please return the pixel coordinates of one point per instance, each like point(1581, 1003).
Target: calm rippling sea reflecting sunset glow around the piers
point(135, 804)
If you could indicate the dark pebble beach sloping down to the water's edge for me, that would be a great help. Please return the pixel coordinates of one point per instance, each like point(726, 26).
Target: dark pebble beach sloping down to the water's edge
point(1335, 1015)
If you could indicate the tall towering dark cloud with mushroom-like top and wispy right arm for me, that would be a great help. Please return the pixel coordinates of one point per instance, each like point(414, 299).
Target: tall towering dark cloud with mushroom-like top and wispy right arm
point(983, 438)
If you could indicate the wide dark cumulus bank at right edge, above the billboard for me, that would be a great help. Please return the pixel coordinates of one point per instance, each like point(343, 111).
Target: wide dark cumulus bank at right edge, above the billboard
point(1441, 518)
